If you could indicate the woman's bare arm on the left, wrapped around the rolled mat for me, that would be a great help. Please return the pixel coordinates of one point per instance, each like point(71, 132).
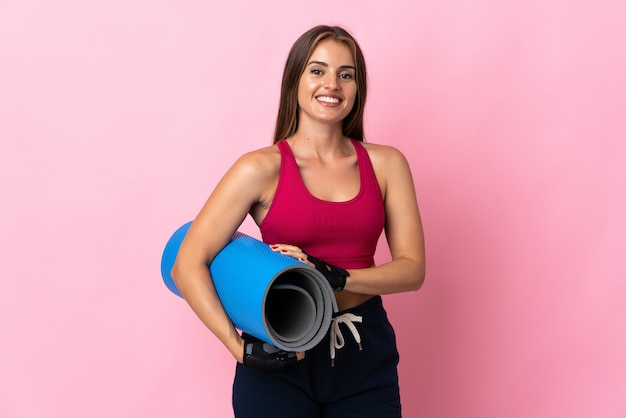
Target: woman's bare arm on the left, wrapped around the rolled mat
point(238, 191)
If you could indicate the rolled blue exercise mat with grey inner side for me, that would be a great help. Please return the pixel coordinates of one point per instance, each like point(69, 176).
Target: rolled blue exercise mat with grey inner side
point(271, 296)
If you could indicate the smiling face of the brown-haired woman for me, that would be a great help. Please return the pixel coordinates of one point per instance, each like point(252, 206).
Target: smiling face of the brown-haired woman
point(327, 87)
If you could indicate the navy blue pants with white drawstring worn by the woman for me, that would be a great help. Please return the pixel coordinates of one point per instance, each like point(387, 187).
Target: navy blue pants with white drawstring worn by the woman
point(362, 383)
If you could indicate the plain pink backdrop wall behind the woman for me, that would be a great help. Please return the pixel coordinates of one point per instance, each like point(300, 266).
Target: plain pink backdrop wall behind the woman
point(118, 117)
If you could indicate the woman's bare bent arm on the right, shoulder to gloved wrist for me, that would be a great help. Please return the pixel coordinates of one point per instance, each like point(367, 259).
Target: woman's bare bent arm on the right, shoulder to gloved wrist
point(403, 229)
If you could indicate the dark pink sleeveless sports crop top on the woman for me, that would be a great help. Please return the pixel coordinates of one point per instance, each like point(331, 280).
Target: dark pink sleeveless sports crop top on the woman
point(341, 233)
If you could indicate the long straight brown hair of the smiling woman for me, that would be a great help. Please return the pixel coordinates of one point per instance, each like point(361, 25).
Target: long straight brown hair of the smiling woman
point(287, 119)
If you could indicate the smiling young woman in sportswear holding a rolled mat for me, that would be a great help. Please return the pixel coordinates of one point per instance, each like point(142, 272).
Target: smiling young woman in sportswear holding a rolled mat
point(323, 196)
